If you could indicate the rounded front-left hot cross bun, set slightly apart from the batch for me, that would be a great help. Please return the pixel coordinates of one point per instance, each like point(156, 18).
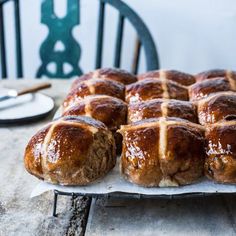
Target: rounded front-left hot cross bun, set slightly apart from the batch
point(71, 151)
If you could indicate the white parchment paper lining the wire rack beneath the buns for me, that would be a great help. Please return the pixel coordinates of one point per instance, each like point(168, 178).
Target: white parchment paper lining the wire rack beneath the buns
point(114, 182)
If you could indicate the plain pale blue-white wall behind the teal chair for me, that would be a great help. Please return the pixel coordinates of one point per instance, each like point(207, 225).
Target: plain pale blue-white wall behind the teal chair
point(190, 36)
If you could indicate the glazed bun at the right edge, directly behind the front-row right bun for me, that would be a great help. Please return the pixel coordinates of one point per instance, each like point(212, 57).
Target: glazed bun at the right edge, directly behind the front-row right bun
point(217, 107)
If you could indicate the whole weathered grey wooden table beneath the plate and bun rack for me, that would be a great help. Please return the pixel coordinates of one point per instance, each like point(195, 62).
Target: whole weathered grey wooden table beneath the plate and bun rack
point(20, 215)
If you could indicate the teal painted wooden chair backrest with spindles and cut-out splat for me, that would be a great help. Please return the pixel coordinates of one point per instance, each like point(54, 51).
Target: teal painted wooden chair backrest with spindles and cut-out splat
point(71, 54)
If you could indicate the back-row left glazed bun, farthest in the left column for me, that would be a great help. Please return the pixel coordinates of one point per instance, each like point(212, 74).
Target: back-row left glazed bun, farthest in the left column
point(117, 75)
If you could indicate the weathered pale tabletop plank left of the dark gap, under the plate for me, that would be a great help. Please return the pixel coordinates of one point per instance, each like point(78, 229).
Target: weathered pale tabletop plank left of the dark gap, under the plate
point(20, 215)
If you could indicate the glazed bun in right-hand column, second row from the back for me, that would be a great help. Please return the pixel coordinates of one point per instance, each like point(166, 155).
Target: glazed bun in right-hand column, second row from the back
point(203, 89)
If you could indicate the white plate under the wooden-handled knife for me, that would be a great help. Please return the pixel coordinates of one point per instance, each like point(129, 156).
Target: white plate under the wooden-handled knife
point(24, 108)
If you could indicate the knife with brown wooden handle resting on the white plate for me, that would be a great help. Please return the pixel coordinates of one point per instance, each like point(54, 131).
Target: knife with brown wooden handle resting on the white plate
point(12, 93)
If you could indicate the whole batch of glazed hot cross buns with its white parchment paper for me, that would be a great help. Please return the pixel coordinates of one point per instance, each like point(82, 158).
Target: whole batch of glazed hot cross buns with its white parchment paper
point(163, 132)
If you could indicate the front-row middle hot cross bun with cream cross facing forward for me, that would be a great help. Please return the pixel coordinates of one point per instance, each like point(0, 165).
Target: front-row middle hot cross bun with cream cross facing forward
point(144, 163)
